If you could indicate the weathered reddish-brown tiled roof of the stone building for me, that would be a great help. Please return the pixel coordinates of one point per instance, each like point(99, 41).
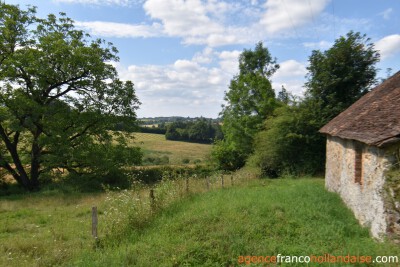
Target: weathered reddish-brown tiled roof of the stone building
point(374, 119)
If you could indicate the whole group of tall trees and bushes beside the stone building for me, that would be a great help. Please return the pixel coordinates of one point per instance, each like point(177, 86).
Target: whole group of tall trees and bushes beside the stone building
point(279, 134)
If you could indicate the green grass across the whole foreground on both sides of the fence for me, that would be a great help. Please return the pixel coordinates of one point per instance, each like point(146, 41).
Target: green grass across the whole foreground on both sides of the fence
point(260, 217)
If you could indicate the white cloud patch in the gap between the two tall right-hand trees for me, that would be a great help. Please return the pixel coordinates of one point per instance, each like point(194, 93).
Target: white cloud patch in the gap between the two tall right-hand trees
point(291, 75)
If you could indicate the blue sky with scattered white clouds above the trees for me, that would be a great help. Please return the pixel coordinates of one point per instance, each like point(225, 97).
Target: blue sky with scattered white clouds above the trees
point(182, 54)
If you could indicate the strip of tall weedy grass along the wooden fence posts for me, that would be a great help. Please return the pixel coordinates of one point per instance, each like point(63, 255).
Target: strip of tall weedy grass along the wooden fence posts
point(131, 210)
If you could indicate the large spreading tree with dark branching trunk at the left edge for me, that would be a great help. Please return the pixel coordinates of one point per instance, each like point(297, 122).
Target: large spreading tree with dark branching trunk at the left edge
point(59, 95)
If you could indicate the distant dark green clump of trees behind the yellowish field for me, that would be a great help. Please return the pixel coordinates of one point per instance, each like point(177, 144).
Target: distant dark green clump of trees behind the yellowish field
point(200, 131)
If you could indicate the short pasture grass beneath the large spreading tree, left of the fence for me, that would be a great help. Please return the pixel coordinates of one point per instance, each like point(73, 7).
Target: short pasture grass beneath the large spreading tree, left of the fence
point(46, 228)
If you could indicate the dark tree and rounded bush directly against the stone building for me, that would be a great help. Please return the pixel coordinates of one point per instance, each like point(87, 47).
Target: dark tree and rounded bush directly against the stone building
point(291, 143)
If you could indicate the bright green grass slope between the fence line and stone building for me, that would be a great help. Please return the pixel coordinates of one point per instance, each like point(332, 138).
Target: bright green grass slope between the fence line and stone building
point(266, 217)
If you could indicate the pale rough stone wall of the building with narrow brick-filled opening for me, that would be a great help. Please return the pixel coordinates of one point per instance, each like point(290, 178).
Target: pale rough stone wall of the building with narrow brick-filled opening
point(366, 199)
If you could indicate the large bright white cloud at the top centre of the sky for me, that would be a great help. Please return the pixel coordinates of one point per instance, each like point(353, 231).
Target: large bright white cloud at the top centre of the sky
point(208, 22)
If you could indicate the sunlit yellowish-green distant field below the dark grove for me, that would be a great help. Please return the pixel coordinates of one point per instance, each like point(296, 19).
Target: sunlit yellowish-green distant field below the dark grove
point(155, 145)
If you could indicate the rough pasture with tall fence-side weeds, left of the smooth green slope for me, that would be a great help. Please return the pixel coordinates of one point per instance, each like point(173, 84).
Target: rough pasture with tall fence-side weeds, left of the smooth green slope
point(52, 227)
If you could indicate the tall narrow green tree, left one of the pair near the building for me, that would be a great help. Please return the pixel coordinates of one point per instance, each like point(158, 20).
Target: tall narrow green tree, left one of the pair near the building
point(249, 101)
